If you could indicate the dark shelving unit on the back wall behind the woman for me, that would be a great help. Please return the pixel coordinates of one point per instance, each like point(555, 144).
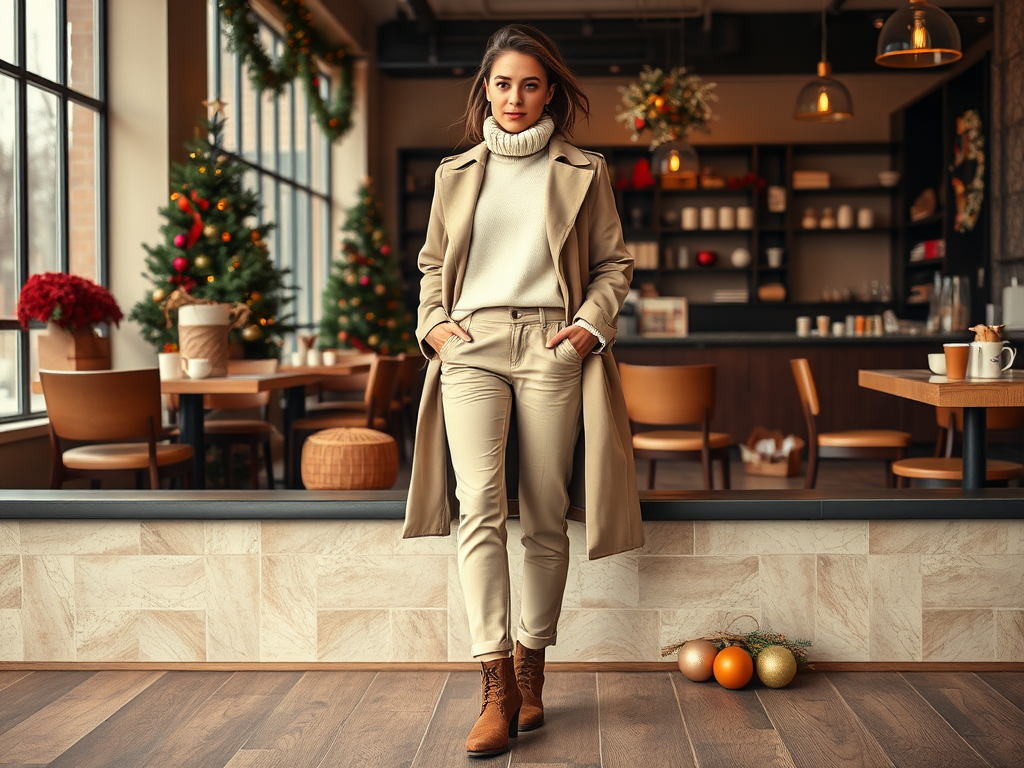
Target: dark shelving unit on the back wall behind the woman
point(855, 172)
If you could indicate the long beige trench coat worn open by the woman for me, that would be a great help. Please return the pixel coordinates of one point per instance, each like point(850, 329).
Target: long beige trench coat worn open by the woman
point(594, 273)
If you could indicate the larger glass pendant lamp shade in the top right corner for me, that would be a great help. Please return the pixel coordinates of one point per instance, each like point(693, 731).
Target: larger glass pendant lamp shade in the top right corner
point(920, 35)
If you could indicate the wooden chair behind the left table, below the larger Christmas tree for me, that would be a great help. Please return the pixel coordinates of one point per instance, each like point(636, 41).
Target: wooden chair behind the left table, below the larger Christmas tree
point(257, 434)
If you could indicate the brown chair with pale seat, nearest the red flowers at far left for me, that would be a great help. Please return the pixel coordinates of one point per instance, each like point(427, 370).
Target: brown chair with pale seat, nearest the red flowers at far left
point(112, 411)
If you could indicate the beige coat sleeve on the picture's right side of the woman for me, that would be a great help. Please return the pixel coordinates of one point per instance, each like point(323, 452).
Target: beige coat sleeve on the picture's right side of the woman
point(611, 266)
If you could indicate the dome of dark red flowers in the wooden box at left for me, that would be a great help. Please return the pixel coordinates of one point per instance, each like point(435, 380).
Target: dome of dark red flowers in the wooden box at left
point(68, 301)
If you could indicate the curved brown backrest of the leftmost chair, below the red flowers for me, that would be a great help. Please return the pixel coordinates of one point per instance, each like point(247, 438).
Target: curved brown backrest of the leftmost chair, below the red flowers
point(101, 406)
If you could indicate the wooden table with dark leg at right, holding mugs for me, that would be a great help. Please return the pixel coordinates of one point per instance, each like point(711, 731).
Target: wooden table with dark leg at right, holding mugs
point(974, 396)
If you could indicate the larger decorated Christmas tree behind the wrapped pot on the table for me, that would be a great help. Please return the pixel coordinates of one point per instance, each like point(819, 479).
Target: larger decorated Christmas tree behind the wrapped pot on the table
point(214, 251)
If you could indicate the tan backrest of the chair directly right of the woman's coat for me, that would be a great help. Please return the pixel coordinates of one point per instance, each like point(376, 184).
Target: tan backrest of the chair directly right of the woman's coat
point(668, 396)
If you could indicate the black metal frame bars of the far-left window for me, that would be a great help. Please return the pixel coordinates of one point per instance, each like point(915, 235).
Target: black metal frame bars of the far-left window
point(23, 78)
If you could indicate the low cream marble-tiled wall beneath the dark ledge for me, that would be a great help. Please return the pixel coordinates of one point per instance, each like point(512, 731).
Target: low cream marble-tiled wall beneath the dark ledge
point(355, 591)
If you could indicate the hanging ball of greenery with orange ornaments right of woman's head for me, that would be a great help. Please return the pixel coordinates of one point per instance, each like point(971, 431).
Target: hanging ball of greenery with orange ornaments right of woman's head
point(668, 106)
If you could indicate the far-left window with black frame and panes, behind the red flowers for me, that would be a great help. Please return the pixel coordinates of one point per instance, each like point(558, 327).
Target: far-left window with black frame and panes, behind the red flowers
point(53, 166)
